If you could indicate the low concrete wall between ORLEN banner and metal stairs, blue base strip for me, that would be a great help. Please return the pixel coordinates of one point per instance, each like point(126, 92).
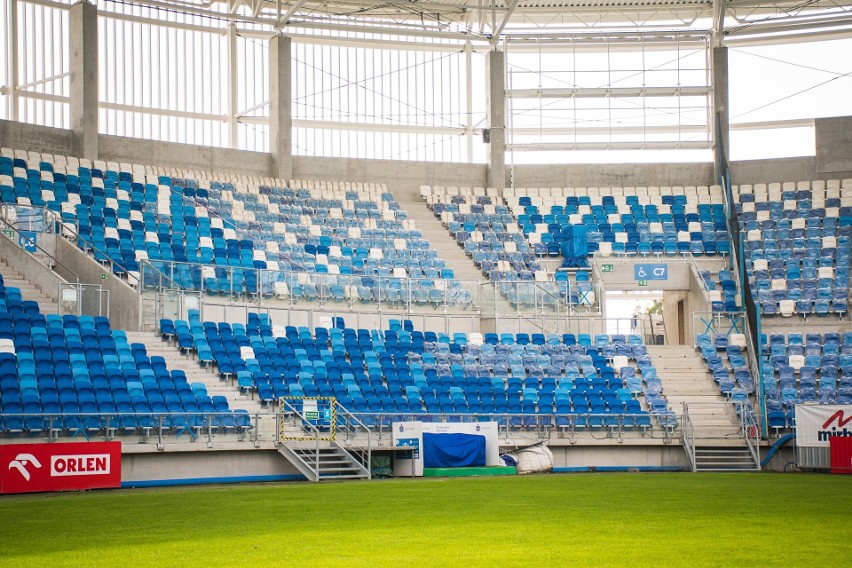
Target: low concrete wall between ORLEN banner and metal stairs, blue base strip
point(173, 468)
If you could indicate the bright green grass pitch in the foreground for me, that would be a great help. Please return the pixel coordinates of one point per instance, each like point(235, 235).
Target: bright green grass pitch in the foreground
point(790, 520)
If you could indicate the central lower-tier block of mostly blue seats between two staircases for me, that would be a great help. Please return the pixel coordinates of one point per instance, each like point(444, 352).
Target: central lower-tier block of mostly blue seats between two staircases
point(402, 370)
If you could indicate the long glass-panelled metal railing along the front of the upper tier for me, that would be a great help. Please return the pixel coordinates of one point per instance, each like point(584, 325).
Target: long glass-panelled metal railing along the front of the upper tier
point(293, 287)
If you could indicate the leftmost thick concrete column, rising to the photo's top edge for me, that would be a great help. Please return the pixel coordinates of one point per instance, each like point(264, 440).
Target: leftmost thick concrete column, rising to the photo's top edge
point(83, 21)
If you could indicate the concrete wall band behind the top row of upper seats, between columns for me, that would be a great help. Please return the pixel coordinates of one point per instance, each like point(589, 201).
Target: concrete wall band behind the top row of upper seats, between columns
point(833, 160)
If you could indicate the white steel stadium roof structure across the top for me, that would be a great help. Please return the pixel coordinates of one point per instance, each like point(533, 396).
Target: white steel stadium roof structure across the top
point(492, 21)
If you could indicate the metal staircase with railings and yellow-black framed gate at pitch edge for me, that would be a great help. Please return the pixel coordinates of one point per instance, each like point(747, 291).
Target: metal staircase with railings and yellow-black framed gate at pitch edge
point(332, 444)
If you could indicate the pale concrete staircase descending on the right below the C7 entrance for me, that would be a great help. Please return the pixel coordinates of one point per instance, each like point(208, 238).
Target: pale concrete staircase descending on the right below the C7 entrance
point(689, 387)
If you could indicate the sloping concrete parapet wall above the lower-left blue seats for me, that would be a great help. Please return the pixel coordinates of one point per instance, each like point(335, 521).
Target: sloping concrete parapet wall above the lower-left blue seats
point(124, 302)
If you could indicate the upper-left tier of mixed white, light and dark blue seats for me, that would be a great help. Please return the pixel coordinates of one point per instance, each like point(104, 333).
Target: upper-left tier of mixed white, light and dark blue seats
point(128, 214)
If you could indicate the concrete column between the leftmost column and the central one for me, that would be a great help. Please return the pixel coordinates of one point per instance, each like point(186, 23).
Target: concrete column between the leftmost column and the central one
point(280, 107)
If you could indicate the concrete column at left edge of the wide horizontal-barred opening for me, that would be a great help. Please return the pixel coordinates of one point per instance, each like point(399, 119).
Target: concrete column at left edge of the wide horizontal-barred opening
point(496, 118)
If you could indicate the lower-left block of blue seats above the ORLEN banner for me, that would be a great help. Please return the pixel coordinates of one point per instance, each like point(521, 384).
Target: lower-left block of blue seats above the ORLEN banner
point(76, 375)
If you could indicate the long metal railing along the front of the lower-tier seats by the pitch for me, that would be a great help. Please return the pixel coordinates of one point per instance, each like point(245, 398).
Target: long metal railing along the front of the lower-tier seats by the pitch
point(355, 432)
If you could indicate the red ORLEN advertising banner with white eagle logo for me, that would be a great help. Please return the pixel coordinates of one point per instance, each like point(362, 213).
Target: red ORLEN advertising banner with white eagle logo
point(28, 468)
